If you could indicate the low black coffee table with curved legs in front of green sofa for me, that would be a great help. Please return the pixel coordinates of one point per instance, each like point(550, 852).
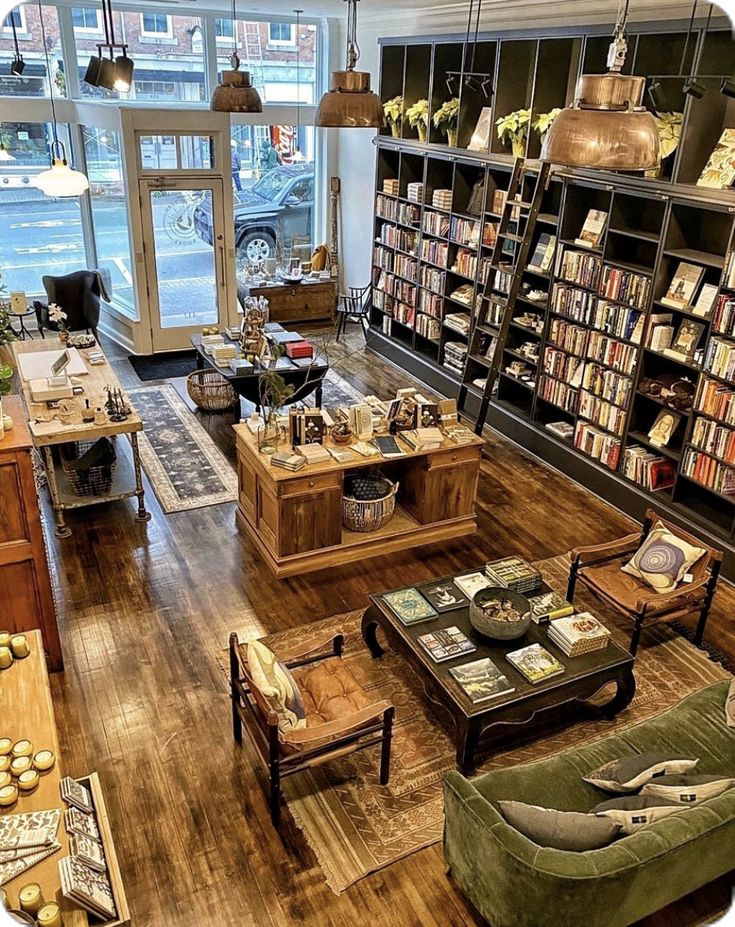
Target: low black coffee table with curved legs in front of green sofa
point(584, 677)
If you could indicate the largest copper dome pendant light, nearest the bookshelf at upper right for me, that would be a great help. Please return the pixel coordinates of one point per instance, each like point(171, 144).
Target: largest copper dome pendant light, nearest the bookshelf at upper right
point(607, 127)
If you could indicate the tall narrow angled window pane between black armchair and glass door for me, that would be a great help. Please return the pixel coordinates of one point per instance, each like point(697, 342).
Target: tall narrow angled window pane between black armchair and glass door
point(109, 213)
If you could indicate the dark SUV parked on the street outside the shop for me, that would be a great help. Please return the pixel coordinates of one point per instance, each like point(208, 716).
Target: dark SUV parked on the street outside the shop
point(280, 203)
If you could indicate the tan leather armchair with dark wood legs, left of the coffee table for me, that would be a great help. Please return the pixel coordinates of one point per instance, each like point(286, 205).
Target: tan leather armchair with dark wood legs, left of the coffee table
point(341, 717)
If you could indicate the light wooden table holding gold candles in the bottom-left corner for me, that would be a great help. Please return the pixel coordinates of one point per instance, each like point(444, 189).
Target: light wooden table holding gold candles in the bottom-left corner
point(28, 712)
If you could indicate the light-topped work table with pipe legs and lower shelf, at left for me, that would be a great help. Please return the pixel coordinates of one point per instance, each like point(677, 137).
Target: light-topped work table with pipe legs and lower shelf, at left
point(128, 480)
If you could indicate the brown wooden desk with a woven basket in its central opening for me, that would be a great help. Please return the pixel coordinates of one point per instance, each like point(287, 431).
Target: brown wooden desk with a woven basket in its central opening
point(295, 519)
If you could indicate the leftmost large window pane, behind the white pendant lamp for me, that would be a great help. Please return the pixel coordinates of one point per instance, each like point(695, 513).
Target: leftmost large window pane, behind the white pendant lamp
point(38, 235)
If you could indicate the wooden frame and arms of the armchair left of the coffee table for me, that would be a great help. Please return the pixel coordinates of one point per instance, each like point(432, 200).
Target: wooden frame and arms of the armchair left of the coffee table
point(285, 754)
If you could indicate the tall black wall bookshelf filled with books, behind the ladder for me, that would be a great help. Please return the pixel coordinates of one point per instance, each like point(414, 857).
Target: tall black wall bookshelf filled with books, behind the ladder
point(653, 224)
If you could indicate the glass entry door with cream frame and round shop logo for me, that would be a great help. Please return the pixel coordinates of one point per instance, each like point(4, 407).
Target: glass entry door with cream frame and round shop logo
point(184, 258)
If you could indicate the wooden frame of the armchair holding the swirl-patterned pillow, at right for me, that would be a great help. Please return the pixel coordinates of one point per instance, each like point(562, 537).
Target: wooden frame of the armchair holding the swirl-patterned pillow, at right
point(651, 608)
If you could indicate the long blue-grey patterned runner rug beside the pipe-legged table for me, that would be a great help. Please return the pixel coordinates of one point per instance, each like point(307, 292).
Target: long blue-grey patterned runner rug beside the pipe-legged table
point(185, 467)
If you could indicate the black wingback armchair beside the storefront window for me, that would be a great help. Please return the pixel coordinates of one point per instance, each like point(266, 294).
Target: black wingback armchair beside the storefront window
point(79, 294)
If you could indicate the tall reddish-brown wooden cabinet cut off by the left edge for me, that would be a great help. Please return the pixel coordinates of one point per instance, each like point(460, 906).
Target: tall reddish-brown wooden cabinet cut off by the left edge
point(25, 582)
